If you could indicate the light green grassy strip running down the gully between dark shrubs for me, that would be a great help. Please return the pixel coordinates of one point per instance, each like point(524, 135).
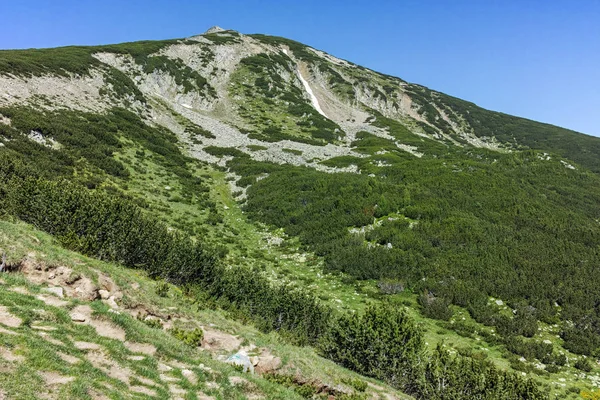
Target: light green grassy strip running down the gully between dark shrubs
point(247, 244)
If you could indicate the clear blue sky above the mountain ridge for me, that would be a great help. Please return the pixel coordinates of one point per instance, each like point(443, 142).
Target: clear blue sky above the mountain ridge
point(536, 59)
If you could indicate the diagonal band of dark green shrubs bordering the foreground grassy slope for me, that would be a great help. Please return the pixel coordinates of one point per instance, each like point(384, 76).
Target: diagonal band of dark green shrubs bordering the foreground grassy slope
point(383, 342)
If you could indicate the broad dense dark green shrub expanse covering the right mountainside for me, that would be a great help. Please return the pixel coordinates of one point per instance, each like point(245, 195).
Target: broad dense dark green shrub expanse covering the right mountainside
point(463, 206)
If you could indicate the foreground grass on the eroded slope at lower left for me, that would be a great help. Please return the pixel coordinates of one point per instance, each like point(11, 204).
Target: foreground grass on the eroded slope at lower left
point(20, 240)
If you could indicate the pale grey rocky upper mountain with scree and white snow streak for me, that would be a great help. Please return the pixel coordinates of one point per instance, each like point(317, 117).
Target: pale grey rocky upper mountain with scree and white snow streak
point(248, 90)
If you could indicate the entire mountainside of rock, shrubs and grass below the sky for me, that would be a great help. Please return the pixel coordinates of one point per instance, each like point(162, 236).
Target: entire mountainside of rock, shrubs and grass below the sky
point(299, 176)
